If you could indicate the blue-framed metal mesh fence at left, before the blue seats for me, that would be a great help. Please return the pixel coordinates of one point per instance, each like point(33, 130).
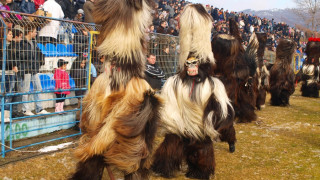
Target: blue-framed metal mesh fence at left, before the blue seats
point(44, 76)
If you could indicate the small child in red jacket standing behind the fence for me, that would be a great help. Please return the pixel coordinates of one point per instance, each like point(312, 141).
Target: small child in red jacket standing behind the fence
point(62, 82)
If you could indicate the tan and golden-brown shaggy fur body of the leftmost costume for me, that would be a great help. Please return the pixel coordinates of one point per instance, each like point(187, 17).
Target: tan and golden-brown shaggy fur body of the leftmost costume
point(128, 119)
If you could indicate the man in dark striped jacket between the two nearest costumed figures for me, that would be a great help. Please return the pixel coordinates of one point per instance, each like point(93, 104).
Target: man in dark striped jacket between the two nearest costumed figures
point(154, 74)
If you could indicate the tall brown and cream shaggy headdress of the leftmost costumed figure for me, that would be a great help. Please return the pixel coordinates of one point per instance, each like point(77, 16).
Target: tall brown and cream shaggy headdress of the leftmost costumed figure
point(122, 37)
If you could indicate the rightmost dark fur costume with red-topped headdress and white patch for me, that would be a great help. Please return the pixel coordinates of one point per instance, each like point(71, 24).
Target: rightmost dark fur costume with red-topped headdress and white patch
point(310, 70)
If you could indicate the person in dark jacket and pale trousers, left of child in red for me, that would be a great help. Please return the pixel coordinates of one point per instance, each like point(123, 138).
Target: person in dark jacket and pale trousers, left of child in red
point(31, 60)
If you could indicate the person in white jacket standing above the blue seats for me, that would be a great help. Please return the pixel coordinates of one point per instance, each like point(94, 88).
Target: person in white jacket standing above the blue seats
point(49, 33)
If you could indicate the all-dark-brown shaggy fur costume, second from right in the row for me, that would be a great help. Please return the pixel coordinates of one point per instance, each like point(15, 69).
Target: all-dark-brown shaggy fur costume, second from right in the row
point(281, 74)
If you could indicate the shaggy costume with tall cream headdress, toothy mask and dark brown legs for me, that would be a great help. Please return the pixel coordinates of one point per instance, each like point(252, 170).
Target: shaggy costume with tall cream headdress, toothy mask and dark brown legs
point(196, 106)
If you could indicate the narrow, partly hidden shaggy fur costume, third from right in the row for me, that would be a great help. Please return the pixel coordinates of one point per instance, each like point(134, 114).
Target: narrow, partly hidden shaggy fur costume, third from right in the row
point(263, 74)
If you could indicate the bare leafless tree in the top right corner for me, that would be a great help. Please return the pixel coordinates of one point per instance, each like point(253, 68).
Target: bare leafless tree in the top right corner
point(309, 11)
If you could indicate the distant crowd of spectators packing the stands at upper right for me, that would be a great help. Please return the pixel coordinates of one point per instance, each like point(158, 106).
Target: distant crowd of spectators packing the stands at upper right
point(167, 13)
